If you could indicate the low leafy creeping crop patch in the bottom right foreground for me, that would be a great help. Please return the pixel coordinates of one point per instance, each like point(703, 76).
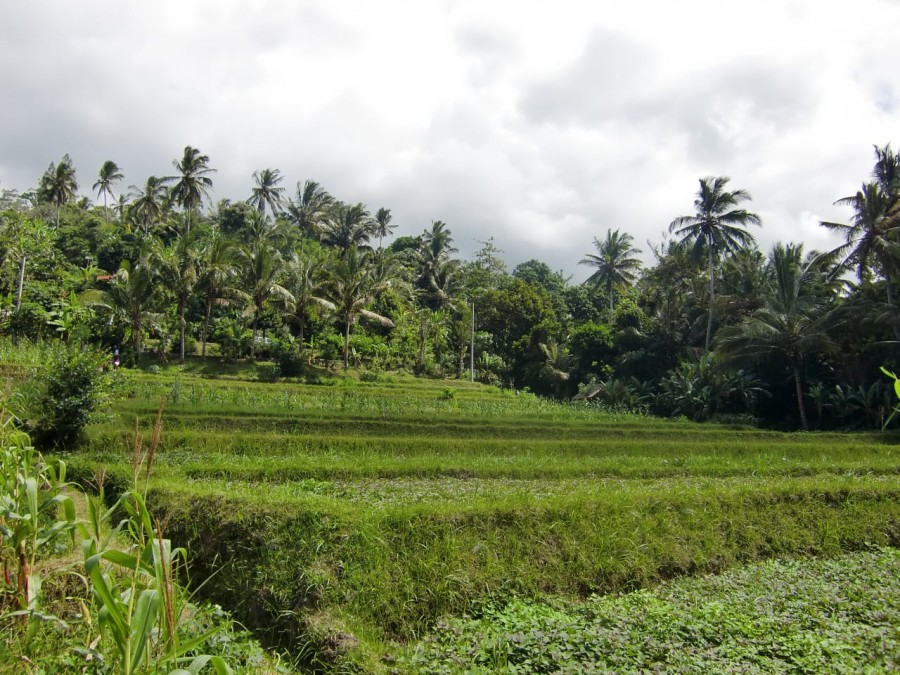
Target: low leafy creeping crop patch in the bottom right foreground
point(836, 615)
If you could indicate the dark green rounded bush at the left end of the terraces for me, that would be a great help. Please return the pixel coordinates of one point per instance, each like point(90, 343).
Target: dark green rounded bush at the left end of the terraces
point(59, 399)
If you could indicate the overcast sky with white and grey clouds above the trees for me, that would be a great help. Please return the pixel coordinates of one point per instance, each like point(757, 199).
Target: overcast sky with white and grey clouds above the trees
point(540, 124)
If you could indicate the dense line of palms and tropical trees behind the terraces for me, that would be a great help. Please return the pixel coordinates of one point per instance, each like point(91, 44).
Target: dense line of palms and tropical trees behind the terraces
point(714, 328)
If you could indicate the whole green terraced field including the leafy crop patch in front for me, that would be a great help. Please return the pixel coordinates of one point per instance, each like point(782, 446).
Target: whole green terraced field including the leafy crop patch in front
point(352, 524)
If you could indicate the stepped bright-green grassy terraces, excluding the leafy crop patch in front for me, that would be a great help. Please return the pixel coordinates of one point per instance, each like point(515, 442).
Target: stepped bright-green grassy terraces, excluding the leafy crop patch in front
point(346, 519)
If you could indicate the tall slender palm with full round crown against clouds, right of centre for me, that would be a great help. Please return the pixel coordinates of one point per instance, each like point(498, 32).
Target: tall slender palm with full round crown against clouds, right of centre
point(717, 227)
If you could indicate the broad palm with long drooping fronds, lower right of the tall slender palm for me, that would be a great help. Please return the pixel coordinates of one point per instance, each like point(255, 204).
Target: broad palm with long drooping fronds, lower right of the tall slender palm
point(795, 320)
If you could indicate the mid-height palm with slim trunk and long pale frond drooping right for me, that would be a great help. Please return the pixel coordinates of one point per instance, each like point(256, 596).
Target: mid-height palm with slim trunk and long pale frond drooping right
point(352, 286)
